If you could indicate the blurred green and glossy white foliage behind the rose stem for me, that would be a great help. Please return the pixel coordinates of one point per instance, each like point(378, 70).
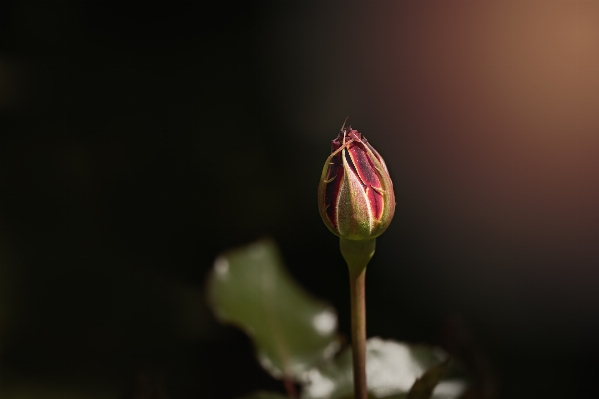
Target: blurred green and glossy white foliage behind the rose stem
point(295, 335)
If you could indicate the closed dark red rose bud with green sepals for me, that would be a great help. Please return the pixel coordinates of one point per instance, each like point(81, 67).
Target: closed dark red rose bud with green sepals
point(355, 194)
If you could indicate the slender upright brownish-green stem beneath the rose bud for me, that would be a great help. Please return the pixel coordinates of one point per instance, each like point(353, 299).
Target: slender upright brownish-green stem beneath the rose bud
point(357, 254)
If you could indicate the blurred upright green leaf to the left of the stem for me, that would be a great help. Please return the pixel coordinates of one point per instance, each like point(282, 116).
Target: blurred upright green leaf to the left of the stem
point(291, 330)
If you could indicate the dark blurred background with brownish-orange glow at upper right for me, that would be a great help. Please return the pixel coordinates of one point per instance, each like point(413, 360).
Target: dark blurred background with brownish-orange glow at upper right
point(140, 139)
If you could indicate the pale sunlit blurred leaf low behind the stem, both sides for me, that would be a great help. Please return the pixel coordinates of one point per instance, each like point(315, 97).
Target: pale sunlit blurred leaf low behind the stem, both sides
point(391, 368)
